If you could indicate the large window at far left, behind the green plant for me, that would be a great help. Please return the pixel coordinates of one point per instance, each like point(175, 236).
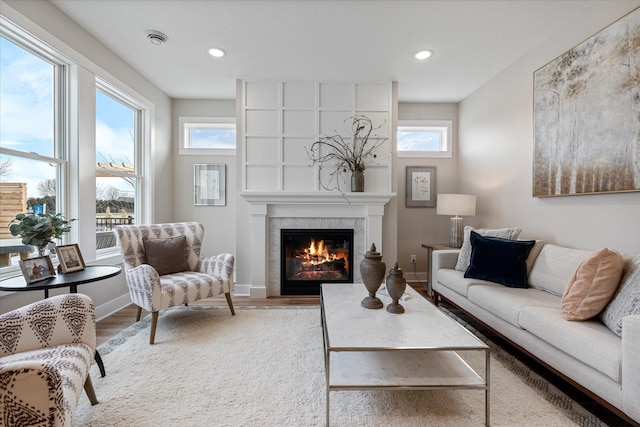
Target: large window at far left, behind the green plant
point(33, 129)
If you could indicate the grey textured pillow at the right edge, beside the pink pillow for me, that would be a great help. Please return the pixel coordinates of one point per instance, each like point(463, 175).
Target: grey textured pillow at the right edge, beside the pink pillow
point(626, 301)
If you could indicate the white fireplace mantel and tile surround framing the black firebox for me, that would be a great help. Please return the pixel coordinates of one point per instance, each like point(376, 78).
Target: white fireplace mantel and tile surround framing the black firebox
point(272, 212)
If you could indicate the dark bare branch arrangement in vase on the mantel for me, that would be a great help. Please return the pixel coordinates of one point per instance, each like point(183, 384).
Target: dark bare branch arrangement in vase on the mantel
point(353, 154)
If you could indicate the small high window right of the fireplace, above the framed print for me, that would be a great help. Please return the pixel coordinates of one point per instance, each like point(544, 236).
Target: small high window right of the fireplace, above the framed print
point(425, 138)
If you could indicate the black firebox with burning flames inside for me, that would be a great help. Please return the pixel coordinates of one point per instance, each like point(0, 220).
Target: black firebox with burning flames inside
point(310, 257)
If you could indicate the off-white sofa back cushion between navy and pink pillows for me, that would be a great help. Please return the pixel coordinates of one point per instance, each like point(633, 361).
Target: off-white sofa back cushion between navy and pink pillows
point(554, 267)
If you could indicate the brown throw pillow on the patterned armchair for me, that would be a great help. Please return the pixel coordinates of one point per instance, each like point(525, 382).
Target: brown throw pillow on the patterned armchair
point(166, 255)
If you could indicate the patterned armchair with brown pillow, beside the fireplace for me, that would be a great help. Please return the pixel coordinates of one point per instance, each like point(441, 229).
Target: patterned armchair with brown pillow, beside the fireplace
point(203, 277)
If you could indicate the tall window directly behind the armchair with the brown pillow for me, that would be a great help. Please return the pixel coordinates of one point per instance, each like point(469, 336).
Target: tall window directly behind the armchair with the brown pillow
point(118, 148)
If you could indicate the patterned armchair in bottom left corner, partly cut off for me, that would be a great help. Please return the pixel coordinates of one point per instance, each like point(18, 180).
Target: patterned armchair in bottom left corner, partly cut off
point(46, 350)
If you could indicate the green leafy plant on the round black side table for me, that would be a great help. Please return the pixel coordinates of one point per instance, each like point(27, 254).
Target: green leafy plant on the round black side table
point(39, 229)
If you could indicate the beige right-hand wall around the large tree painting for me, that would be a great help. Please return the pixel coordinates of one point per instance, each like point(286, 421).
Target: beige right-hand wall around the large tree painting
point(496, 155)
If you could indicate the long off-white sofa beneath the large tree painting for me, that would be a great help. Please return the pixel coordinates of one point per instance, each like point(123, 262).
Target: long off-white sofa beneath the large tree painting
point(587, 353)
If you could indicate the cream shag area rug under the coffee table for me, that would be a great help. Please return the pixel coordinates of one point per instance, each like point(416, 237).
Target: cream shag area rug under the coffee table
point(265, 367)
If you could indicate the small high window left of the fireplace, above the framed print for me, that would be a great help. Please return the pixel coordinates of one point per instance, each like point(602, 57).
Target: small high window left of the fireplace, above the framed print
point(207, 135)
